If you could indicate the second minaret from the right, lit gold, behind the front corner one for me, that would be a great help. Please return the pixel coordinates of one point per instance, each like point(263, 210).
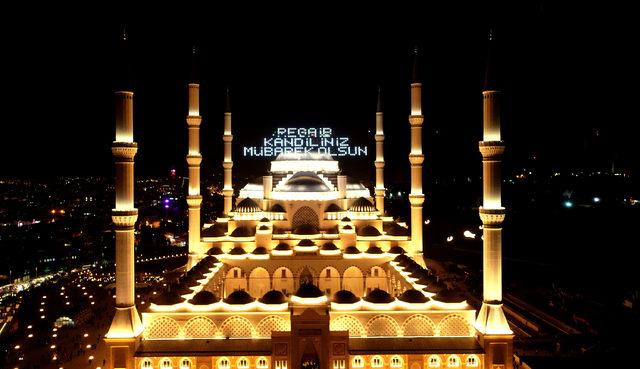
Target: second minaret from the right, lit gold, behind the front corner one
point(416, 158)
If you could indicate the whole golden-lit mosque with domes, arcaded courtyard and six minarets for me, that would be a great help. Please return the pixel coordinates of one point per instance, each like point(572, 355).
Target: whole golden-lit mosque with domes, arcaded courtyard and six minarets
point(306, 270)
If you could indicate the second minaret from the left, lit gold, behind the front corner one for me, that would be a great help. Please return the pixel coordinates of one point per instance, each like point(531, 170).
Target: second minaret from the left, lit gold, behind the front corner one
point(194, 158)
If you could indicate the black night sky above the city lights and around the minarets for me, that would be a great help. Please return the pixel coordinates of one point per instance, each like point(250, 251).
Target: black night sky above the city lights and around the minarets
point(566, 72)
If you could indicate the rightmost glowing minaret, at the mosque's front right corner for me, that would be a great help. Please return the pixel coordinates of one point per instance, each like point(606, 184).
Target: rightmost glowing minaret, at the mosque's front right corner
point(496, 336)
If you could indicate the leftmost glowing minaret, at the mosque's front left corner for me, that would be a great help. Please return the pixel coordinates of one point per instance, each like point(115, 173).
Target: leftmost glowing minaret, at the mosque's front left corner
point(126, 324)
